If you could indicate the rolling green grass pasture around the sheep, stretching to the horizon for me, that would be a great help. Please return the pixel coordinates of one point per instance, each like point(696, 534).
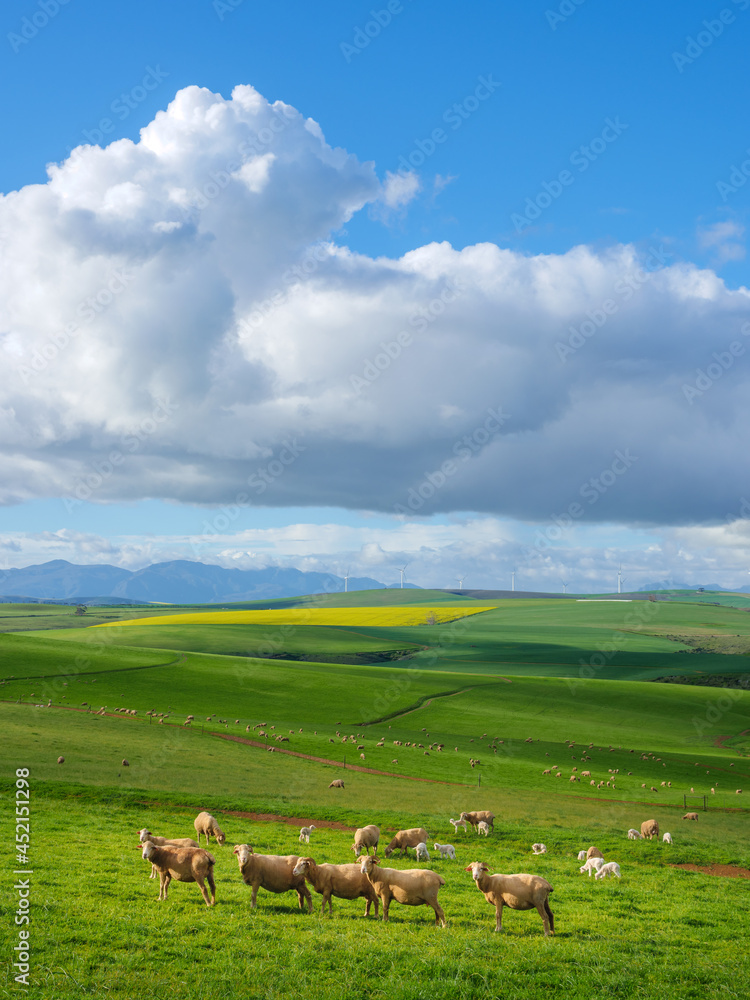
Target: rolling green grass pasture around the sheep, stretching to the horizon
point(534, 686)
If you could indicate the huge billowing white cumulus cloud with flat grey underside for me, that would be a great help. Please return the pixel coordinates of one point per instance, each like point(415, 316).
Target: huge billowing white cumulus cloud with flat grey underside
point(178, 320)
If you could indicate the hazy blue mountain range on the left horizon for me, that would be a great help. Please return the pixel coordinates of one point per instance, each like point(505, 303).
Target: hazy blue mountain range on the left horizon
point(178, 582)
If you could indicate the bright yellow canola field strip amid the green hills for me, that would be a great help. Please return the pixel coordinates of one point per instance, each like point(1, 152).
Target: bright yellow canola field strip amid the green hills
point(351, 617)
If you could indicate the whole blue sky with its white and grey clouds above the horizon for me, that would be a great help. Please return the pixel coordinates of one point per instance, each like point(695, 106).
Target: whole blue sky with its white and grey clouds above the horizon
point(529, 130)
